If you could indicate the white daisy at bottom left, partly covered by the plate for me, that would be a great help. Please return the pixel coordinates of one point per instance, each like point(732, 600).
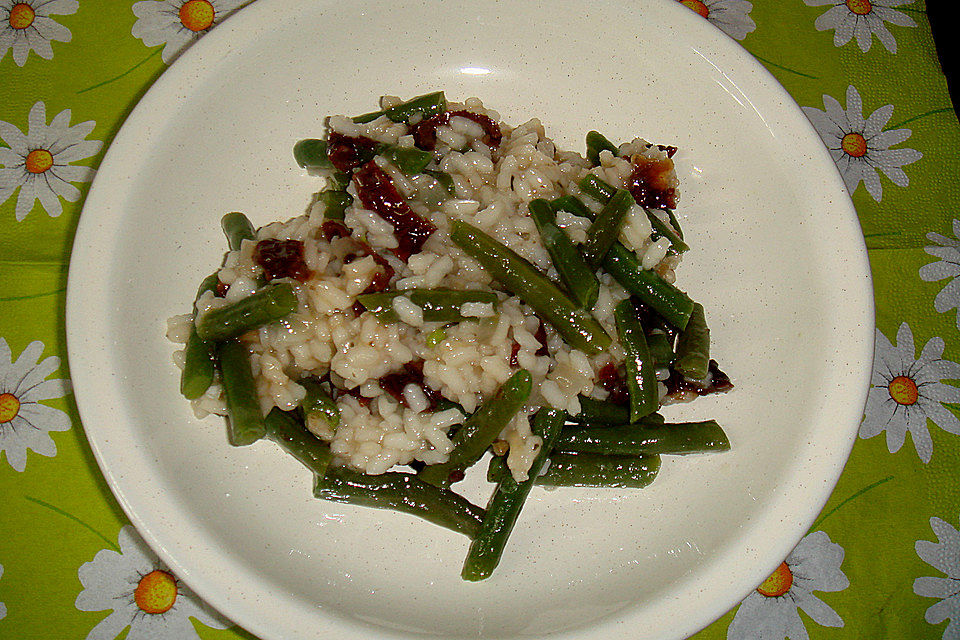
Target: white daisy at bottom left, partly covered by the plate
point(142, 593)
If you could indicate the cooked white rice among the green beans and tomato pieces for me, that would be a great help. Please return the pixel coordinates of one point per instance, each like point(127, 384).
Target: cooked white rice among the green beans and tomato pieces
point(473, 358)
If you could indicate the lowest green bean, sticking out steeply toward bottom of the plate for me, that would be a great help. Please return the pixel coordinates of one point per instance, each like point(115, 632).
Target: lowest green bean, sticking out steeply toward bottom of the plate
point(505, 505)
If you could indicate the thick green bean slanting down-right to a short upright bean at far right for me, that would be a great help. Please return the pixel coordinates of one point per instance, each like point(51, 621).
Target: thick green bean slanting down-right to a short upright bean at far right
point(671, 303)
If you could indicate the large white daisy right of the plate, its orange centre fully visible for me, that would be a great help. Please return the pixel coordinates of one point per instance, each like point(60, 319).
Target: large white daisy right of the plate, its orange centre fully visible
point(906, 392)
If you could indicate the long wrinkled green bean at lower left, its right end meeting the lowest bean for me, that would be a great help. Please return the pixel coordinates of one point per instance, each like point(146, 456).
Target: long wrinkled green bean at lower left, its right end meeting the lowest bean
point(403, 492)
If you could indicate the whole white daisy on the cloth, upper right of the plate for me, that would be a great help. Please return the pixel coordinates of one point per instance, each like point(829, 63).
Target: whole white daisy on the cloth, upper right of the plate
point(860, 147)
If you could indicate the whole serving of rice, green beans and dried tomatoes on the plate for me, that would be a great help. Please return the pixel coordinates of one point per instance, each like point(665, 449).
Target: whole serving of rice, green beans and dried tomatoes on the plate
point(458, 287)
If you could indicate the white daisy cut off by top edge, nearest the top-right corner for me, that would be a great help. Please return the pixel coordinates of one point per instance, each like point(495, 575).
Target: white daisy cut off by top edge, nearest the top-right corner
point(862, 19)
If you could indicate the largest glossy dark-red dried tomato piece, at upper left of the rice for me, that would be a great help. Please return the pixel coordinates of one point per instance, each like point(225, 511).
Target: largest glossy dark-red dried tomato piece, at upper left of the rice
point(378, 194)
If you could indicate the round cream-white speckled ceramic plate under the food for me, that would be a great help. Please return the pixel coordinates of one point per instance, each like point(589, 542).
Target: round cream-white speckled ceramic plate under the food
point(778, 262)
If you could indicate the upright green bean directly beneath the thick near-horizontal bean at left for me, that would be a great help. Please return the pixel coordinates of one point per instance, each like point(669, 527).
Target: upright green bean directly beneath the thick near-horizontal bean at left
point(245, 420)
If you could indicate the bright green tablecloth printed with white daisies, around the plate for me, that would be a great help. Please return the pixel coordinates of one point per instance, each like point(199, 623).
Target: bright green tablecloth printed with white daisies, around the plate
point(881, 561)
